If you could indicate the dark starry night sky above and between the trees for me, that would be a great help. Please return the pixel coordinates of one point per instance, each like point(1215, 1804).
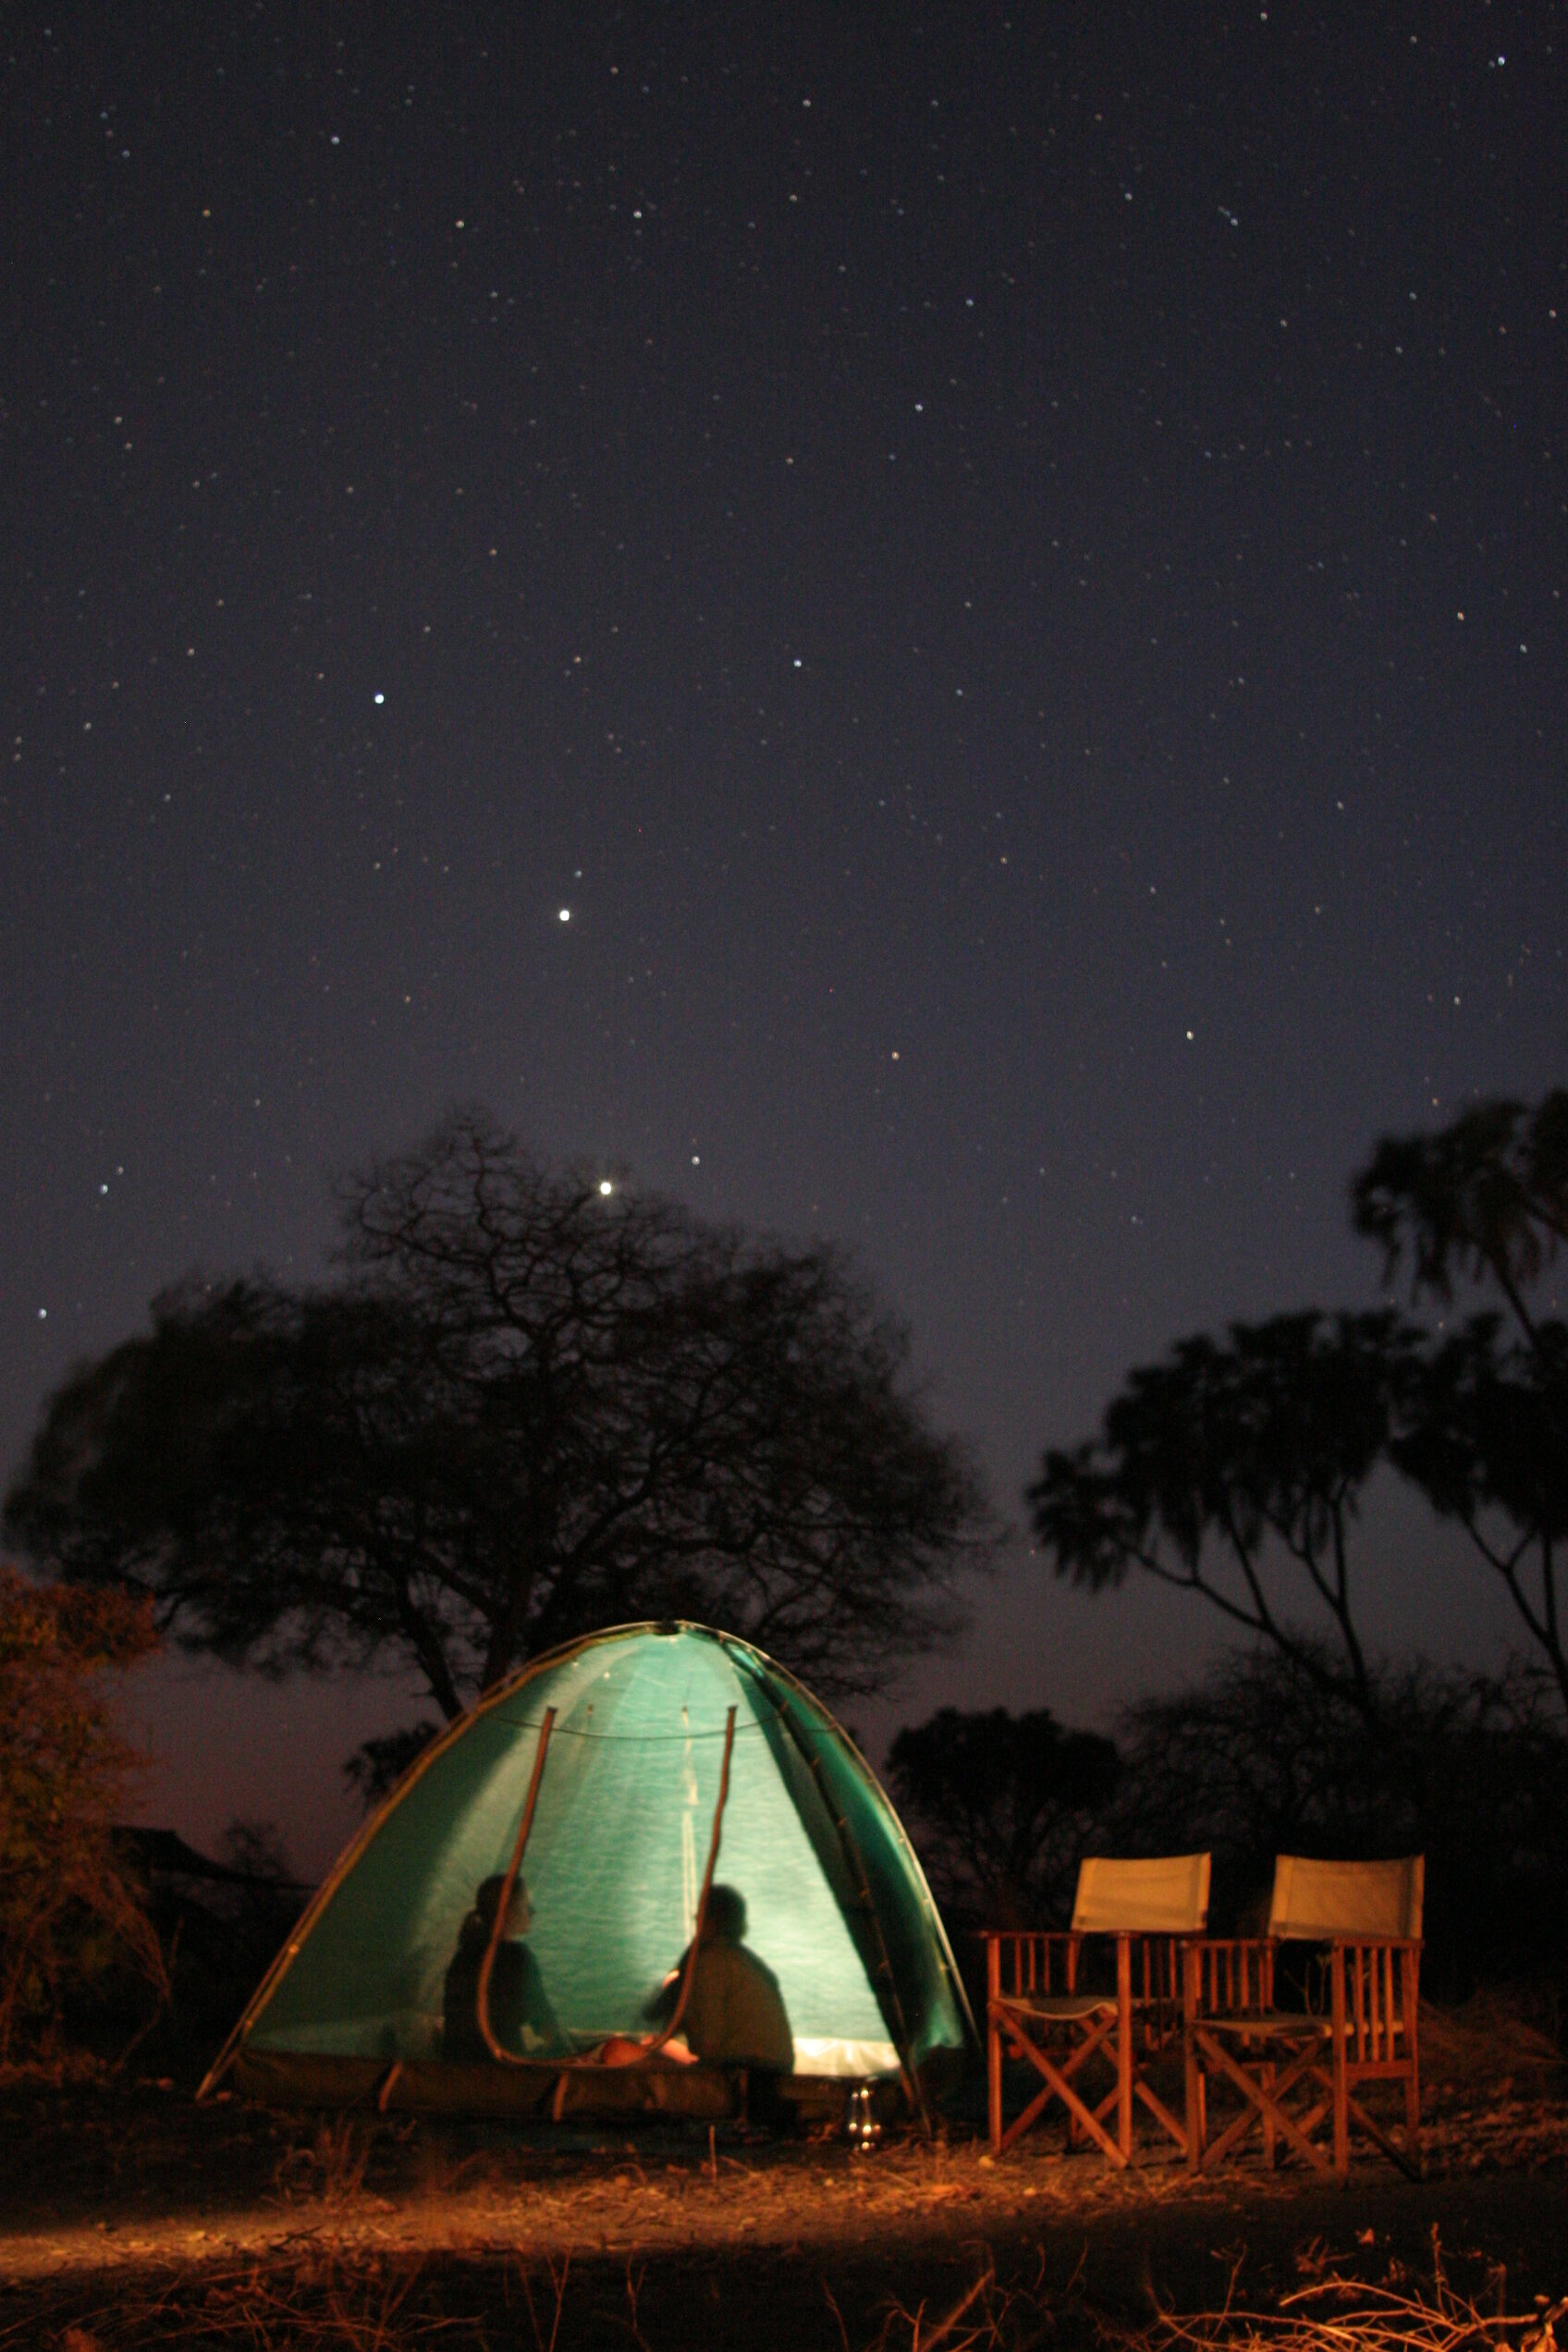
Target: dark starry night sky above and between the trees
point(1003, 570)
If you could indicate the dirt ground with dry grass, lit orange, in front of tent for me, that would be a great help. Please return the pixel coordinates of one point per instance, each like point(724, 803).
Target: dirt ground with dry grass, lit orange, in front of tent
point(130, 2217)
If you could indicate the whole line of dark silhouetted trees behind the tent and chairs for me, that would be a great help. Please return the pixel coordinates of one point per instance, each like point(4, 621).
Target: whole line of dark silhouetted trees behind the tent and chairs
point(532, 1403)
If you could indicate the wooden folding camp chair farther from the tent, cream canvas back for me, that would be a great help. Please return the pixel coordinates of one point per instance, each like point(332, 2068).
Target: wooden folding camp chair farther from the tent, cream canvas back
point(1299, 2066)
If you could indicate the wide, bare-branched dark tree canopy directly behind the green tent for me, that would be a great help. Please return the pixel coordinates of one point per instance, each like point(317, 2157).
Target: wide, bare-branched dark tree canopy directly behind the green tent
point(535, 1403)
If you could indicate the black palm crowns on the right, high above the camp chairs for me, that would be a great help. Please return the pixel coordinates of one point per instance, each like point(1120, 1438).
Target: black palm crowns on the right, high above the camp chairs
point(1235, 1469)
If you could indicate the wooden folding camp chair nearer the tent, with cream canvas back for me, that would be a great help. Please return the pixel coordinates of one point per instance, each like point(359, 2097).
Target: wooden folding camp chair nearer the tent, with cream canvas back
point(1038, 2007)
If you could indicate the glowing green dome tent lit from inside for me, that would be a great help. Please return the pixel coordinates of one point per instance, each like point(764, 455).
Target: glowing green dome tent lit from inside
point(624, 1763)
